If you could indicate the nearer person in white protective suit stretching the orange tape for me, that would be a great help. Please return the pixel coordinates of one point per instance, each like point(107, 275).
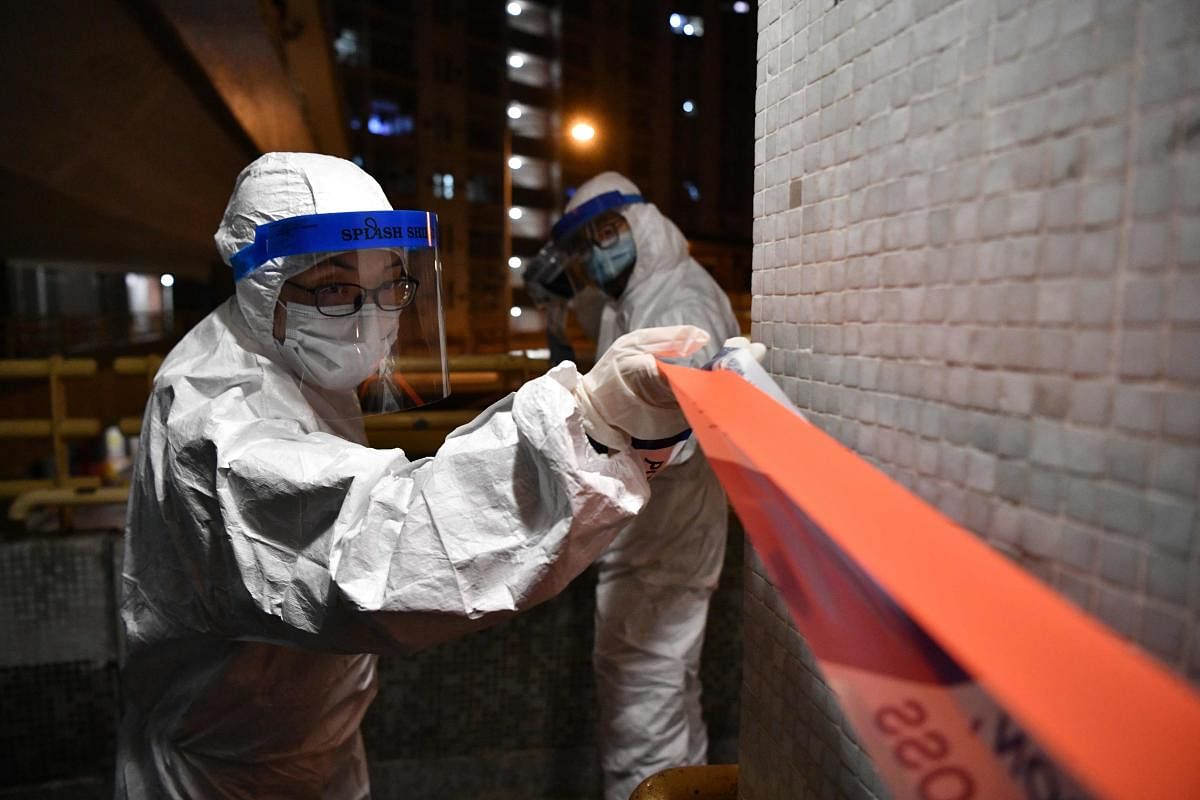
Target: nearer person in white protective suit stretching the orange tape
point(269, 551)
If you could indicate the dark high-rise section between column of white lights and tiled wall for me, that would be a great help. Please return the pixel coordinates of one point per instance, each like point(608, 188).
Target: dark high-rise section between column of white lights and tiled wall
point(668, 86)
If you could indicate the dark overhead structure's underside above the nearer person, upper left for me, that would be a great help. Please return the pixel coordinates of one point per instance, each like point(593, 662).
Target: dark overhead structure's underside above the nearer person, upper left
point(128, 122)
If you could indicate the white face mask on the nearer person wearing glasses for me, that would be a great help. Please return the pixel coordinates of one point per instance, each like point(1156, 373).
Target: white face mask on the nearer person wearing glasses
point(338, 352)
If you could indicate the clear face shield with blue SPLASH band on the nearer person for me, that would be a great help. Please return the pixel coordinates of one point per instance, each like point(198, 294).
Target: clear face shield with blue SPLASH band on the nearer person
point(362, 308)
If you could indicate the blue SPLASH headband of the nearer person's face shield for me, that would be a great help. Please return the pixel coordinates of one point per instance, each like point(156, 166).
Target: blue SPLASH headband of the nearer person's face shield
point(332, 233)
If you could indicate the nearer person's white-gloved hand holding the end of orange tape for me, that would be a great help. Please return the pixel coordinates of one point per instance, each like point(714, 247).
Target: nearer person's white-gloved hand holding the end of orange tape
point(625, 395)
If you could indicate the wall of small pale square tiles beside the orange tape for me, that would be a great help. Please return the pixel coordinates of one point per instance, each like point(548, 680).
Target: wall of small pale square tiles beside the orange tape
point(977, 263)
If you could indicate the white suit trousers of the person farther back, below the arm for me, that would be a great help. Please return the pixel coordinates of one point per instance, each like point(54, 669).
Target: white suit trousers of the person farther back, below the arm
point(653, 593)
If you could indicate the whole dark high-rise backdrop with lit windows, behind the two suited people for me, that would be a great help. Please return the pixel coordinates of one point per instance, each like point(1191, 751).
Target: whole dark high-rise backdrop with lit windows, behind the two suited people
point(491, 113)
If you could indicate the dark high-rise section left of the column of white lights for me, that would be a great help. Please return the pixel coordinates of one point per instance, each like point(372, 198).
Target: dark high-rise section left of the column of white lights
point(425, 92)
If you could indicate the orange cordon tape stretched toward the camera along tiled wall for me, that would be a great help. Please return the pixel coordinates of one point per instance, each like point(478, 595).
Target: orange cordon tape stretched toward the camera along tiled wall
point(955, 666)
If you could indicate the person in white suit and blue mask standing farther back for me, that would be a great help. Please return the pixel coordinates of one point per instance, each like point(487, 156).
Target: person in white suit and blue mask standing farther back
point(623, 266)
